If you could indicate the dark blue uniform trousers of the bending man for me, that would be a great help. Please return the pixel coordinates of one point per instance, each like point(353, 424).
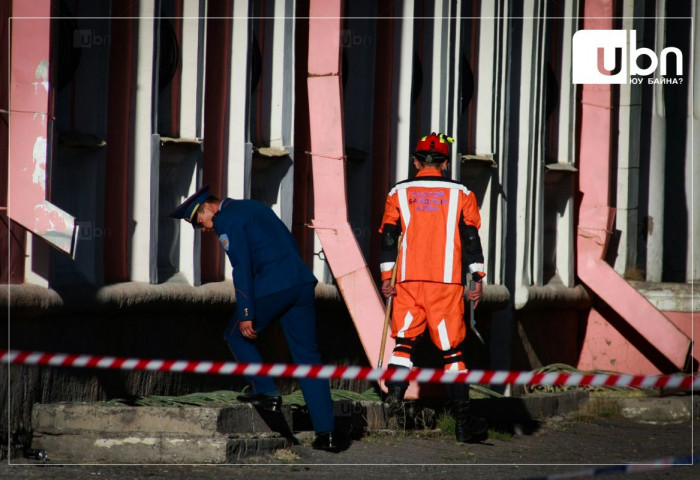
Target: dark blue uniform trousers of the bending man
point(296, 310)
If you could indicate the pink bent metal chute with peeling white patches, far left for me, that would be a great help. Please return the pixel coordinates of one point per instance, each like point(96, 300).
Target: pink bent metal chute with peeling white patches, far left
point(29, 149)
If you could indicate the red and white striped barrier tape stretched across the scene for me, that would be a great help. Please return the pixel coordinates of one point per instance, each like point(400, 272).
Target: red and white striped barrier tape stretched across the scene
point(421, 375)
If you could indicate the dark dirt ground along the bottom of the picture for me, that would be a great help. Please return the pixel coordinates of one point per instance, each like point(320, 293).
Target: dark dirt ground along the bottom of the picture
point(559, 446)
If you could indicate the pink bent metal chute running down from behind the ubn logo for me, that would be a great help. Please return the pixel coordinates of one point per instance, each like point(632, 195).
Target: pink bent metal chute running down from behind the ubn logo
point(596, 217)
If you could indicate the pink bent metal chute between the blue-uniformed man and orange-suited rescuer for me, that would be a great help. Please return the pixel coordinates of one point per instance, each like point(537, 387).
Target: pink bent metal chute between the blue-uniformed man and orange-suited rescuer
point(330, 201)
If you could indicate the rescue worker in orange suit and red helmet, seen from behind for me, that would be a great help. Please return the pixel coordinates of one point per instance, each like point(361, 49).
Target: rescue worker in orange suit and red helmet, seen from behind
point(437, 221)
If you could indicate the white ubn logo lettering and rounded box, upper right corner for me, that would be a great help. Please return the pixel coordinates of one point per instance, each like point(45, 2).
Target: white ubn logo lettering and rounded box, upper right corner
point(607, 57)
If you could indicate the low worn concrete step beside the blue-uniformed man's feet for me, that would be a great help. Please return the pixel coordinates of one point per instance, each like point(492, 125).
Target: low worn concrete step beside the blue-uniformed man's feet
point(87, 433)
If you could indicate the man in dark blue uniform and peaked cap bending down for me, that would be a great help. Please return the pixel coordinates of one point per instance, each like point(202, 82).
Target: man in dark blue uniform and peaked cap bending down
point(272, 283)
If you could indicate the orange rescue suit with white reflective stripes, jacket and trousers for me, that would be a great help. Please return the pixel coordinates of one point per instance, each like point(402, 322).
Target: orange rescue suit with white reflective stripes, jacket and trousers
point(431, 211)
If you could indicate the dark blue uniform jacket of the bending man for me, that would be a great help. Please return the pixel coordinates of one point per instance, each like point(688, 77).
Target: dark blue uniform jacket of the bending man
point(264, 255)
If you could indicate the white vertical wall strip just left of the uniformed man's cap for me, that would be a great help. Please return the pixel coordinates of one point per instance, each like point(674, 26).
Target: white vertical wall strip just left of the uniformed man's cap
point(142, 188)
